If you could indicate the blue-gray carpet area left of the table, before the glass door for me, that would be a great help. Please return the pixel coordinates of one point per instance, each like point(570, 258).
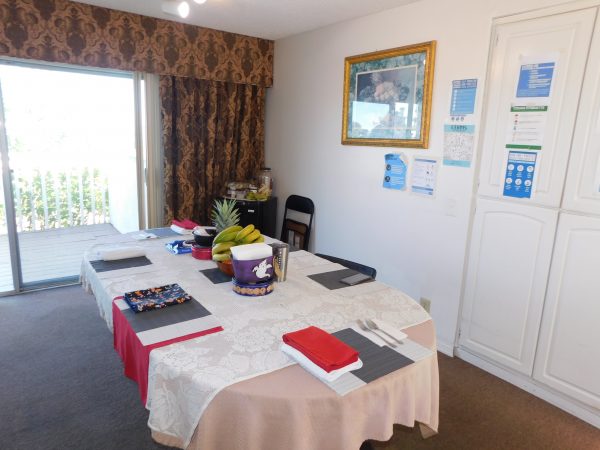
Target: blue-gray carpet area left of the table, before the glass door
point(62, 382)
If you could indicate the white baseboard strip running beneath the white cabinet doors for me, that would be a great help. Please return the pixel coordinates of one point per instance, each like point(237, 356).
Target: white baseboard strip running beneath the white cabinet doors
point(579, 410)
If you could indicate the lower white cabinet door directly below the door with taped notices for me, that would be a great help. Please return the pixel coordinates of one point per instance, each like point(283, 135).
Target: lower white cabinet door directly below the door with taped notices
point(506, 279)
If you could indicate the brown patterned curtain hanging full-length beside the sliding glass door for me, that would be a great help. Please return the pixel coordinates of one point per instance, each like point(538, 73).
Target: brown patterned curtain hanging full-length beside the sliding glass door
point(213, 132)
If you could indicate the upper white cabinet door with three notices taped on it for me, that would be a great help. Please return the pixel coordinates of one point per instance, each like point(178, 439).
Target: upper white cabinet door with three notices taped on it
point(565, 37)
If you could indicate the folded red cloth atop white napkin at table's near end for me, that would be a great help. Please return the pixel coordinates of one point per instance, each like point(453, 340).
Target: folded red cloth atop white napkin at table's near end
point(325, 350)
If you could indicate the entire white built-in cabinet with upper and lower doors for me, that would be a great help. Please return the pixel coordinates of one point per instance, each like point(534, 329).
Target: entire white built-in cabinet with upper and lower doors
point(532, 293)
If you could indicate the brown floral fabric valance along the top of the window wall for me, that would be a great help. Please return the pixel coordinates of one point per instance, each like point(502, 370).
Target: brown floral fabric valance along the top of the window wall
point(74, 33)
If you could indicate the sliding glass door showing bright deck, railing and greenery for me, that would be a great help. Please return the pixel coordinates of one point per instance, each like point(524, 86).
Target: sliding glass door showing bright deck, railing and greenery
point(74, 173)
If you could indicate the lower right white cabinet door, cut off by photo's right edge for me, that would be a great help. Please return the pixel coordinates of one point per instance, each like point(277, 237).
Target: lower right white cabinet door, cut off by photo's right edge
point(569, 355)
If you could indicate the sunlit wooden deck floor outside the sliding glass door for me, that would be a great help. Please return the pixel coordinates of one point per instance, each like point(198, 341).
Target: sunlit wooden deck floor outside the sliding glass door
point(51, 254)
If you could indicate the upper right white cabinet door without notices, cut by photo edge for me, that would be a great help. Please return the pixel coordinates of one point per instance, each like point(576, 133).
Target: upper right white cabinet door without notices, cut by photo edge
point(582, 190)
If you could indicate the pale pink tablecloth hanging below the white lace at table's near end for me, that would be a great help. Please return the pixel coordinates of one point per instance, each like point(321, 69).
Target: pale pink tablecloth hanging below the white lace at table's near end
point(290, 409)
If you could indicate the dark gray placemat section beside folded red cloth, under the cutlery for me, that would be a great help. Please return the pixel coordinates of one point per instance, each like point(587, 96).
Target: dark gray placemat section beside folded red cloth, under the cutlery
point(377, 361)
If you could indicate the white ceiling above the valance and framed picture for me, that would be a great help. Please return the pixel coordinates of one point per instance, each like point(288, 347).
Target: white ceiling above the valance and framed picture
point(269, 19)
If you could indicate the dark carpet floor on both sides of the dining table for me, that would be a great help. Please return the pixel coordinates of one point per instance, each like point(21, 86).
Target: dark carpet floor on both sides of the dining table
point(63, 388)
